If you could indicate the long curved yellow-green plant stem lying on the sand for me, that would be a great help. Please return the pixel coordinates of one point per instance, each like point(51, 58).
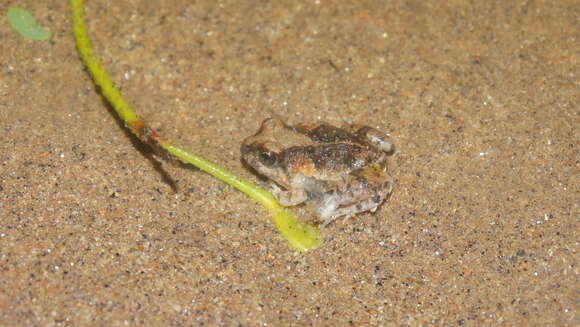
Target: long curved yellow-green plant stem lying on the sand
point(301, 236)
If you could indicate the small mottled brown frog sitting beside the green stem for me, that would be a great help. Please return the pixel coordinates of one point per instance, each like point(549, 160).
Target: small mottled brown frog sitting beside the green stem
point(341, 172)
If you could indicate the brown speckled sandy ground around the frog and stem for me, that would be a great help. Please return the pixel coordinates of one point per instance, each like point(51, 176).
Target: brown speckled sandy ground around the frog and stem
point(481, 100)
